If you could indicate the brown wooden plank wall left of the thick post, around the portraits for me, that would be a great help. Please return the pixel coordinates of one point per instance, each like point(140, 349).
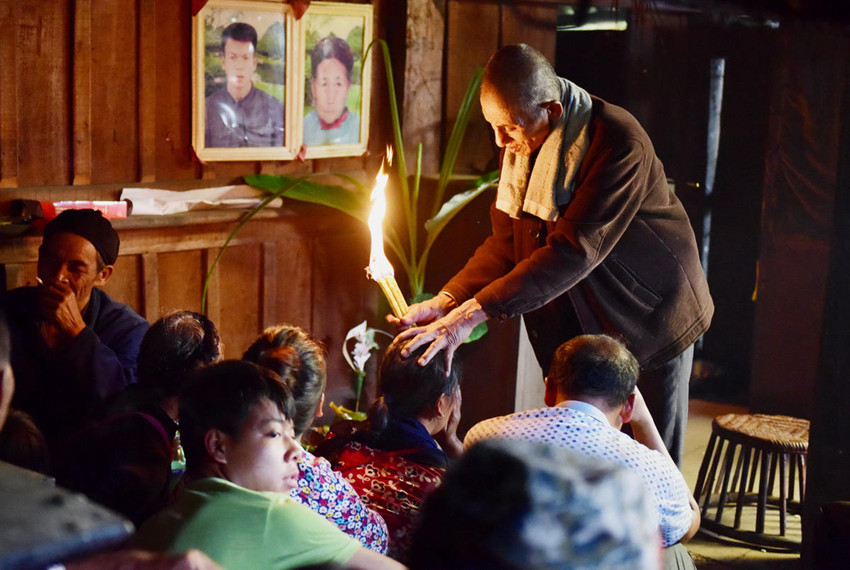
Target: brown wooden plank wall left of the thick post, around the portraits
point(95, 96)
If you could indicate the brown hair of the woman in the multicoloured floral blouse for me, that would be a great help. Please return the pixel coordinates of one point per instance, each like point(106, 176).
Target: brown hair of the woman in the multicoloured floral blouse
point(300, 361)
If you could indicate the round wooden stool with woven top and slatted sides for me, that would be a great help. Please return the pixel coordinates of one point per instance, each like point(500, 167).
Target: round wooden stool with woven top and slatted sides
point(748, 451)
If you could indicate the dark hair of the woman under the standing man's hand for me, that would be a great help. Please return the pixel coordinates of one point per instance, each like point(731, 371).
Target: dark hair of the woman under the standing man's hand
point(408, 389)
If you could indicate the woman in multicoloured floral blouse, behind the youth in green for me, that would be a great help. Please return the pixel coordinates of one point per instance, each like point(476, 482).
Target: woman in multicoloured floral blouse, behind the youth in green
point(296, 357)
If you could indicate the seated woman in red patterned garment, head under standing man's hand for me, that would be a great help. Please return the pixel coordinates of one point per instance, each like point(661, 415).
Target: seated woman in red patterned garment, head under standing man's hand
point(392, 459)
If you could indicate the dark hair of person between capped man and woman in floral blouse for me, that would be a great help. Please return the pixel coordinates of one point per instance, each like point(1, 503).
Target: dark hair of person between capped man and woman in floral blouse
point(175, 346)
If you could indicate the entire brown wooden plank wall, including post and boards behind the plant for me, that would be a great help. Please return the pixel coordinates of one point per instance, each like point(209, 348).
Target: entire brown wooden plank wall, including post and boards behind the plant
point(95, 96)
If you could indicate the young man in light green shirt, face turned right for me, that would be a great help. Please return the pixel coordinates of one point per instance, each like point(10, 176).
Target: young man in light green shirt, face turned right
point(241, 459)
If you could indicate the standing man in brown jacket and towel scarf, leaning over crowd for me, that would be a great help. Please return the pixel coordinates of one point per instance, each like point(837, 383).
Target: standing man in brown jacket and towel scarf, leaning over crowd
point(587, 238)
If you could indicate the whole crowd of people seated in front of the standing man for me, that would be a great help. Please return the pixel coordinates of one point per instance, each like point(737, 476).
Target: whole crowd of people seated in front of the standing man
point(556, 487)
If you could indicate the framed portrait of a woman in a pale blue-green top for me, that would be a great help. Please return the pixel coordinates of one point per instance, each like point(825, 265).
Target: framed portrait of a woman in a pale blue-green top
point(336, 80)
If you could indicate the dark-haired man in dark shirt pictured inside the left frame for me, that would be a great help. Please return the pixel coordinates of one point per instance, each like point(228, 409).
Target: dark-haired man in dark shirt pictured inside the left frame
point(239, 114)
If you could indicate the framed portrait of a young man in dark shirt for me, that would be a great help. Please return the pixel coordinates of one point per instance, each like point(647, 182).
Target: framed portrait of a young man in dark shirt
point(244, 81)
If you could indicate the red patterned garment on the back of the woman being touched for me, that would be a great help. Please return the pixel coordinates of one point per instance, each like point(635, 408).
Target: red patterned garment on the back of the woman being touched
point(391, 485)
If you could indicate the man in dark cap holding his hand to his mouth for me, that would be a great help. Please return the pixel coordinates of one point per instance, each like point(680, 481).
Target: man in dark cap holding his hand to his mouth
point(72, 345)
